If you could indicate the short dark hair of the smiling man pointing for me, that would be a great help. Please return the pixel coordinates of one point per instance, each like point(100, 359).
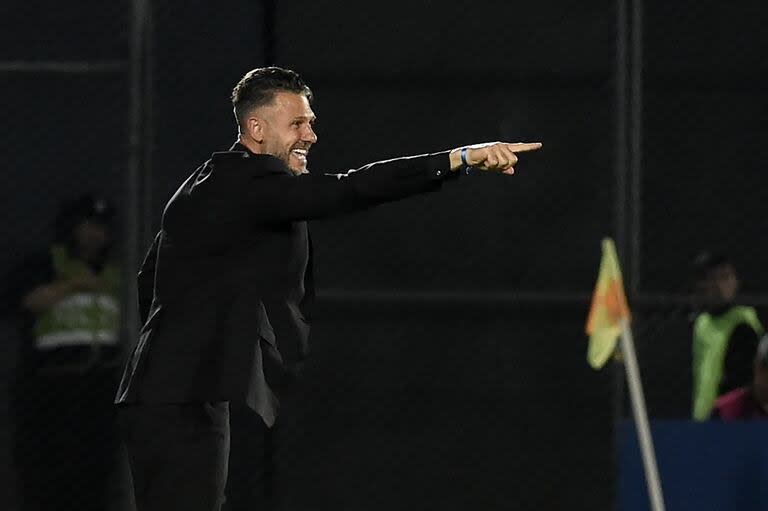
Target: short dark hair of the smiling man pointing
point(258, 87)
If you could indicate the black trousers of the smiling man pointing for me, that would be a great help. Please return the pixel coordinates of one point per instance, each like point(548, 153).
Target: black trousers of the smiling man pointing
point(178, 454)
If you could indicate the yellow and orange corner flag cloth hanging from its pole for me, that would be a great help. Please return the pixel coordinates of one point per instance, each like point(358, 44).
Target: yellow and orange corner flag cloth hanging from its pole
point(609, 307)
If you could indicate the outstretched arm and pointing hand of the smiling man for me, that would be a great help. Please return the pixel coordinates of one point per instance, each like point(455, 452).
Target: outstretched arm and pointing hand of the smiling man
point(260, 189)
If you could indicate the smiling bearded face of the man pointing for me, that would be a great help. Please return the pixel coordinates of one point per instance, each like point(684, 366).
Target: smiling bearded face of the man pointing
point(283, 128)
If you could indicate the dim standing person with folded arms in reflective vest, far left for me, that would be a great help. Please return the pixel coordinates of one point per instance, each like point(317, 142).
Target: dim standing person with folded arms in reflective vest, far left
point(67, 301)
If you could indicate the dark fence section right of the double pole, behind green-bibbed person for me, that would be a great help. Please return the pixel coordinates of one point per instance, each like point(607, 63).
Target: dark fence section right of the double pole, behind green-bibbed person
point(702, 175)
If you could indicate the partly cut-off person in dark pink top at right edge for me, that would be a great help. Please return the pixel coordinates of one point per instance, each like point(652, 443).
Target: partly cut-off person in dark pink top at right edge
point(751, 401)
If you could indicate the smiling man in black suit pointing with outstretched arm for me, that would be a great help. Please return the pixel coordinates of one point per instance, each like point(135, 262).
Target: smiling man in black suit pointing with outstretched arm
point(225, 290)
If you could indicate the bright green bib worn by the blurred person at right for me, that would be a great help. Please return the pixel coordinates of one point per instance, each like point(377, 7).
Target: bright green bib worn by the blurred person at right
point(710, 344)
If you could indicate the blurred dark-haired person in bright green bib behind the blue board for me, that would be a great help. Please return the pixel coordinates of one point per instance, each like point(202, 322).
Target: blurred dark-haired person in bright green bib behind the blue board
point(725, 335)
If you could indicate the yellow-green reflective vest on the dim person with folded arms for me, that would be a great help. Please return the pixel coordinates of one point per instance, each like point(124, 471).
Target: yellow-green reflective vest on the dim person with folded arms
point(82, 318)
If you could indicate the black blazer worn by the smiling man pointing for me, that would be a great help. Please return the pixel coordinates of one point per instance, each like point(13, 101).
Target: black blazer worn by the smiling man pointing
point(225, 291)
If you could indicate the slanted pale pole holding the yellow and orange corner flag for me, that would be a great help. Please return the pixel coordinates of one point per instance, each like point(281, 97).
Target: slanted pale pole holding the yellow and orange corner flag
point(641, 418)
